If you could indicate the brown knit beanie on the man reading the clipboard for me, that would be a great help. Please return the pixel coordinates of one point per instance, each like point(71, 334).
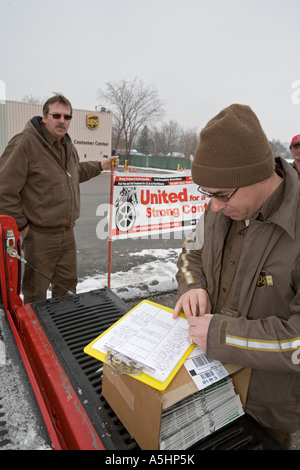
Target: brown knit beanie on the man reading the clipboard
point(233, 151)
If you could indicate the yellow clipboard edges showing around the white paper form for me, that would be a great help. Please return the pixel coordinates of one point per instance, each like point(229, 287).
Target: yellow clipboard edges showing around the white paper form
point(143, 376)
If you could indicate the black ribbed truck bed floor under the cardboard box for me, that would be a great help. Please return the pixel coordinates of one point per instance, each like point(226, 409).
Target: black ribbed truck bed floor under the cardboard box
point(71, 323)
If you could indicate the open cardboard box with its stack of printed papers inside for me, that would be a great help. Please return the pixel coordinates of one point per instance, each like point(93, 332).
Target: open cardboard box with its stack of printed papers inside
point(162, 419)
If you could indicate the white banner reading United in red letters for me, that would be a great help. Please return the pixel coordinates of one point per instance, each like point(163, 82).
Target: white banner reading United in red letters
point(157, 204)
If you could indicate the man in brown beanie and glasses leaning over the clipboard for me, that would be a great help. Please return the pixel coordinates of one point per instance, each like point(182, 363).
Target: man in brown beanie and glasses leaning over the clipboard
point(239, 272)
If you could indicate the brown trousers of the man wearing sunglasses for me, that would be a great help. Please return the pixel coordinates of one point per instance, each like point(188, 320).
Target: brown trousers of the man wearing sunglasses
point(53, 254)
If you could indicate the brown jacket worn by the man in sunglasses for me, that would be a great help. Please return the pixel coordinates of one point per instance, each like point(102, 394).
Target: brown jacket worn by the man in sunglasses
point(37, 187)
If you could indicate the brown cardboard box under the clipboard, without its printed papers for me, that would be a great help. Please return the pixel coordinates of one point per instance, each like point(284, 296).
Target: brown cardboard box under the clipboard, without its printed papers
point(139, 407)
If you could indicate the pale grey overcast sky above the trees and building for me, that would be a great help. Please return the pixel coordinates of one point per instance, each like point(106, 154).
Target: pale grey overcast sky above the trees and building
point(200, 55)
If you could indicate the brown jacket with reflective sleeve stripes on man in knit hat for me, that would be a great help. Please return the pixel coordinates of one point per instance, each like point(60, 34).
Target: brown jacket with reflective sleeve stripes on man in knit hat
point(259, 323)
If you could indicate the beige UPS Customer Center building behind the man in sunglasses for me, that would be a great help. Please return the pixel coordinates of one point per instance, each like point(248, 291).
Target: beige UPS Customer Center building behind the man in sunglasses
point(89, 130)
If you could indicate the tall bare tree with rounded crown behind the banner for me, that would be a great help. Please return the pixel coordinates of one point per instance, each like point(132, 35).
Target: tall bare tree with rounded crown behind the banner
point(132, 105)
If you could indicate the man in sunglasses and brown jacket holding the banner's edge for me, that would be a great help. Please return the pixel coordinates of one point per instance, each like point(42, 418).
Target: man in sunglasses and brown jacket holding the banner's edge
point(40, 174)
